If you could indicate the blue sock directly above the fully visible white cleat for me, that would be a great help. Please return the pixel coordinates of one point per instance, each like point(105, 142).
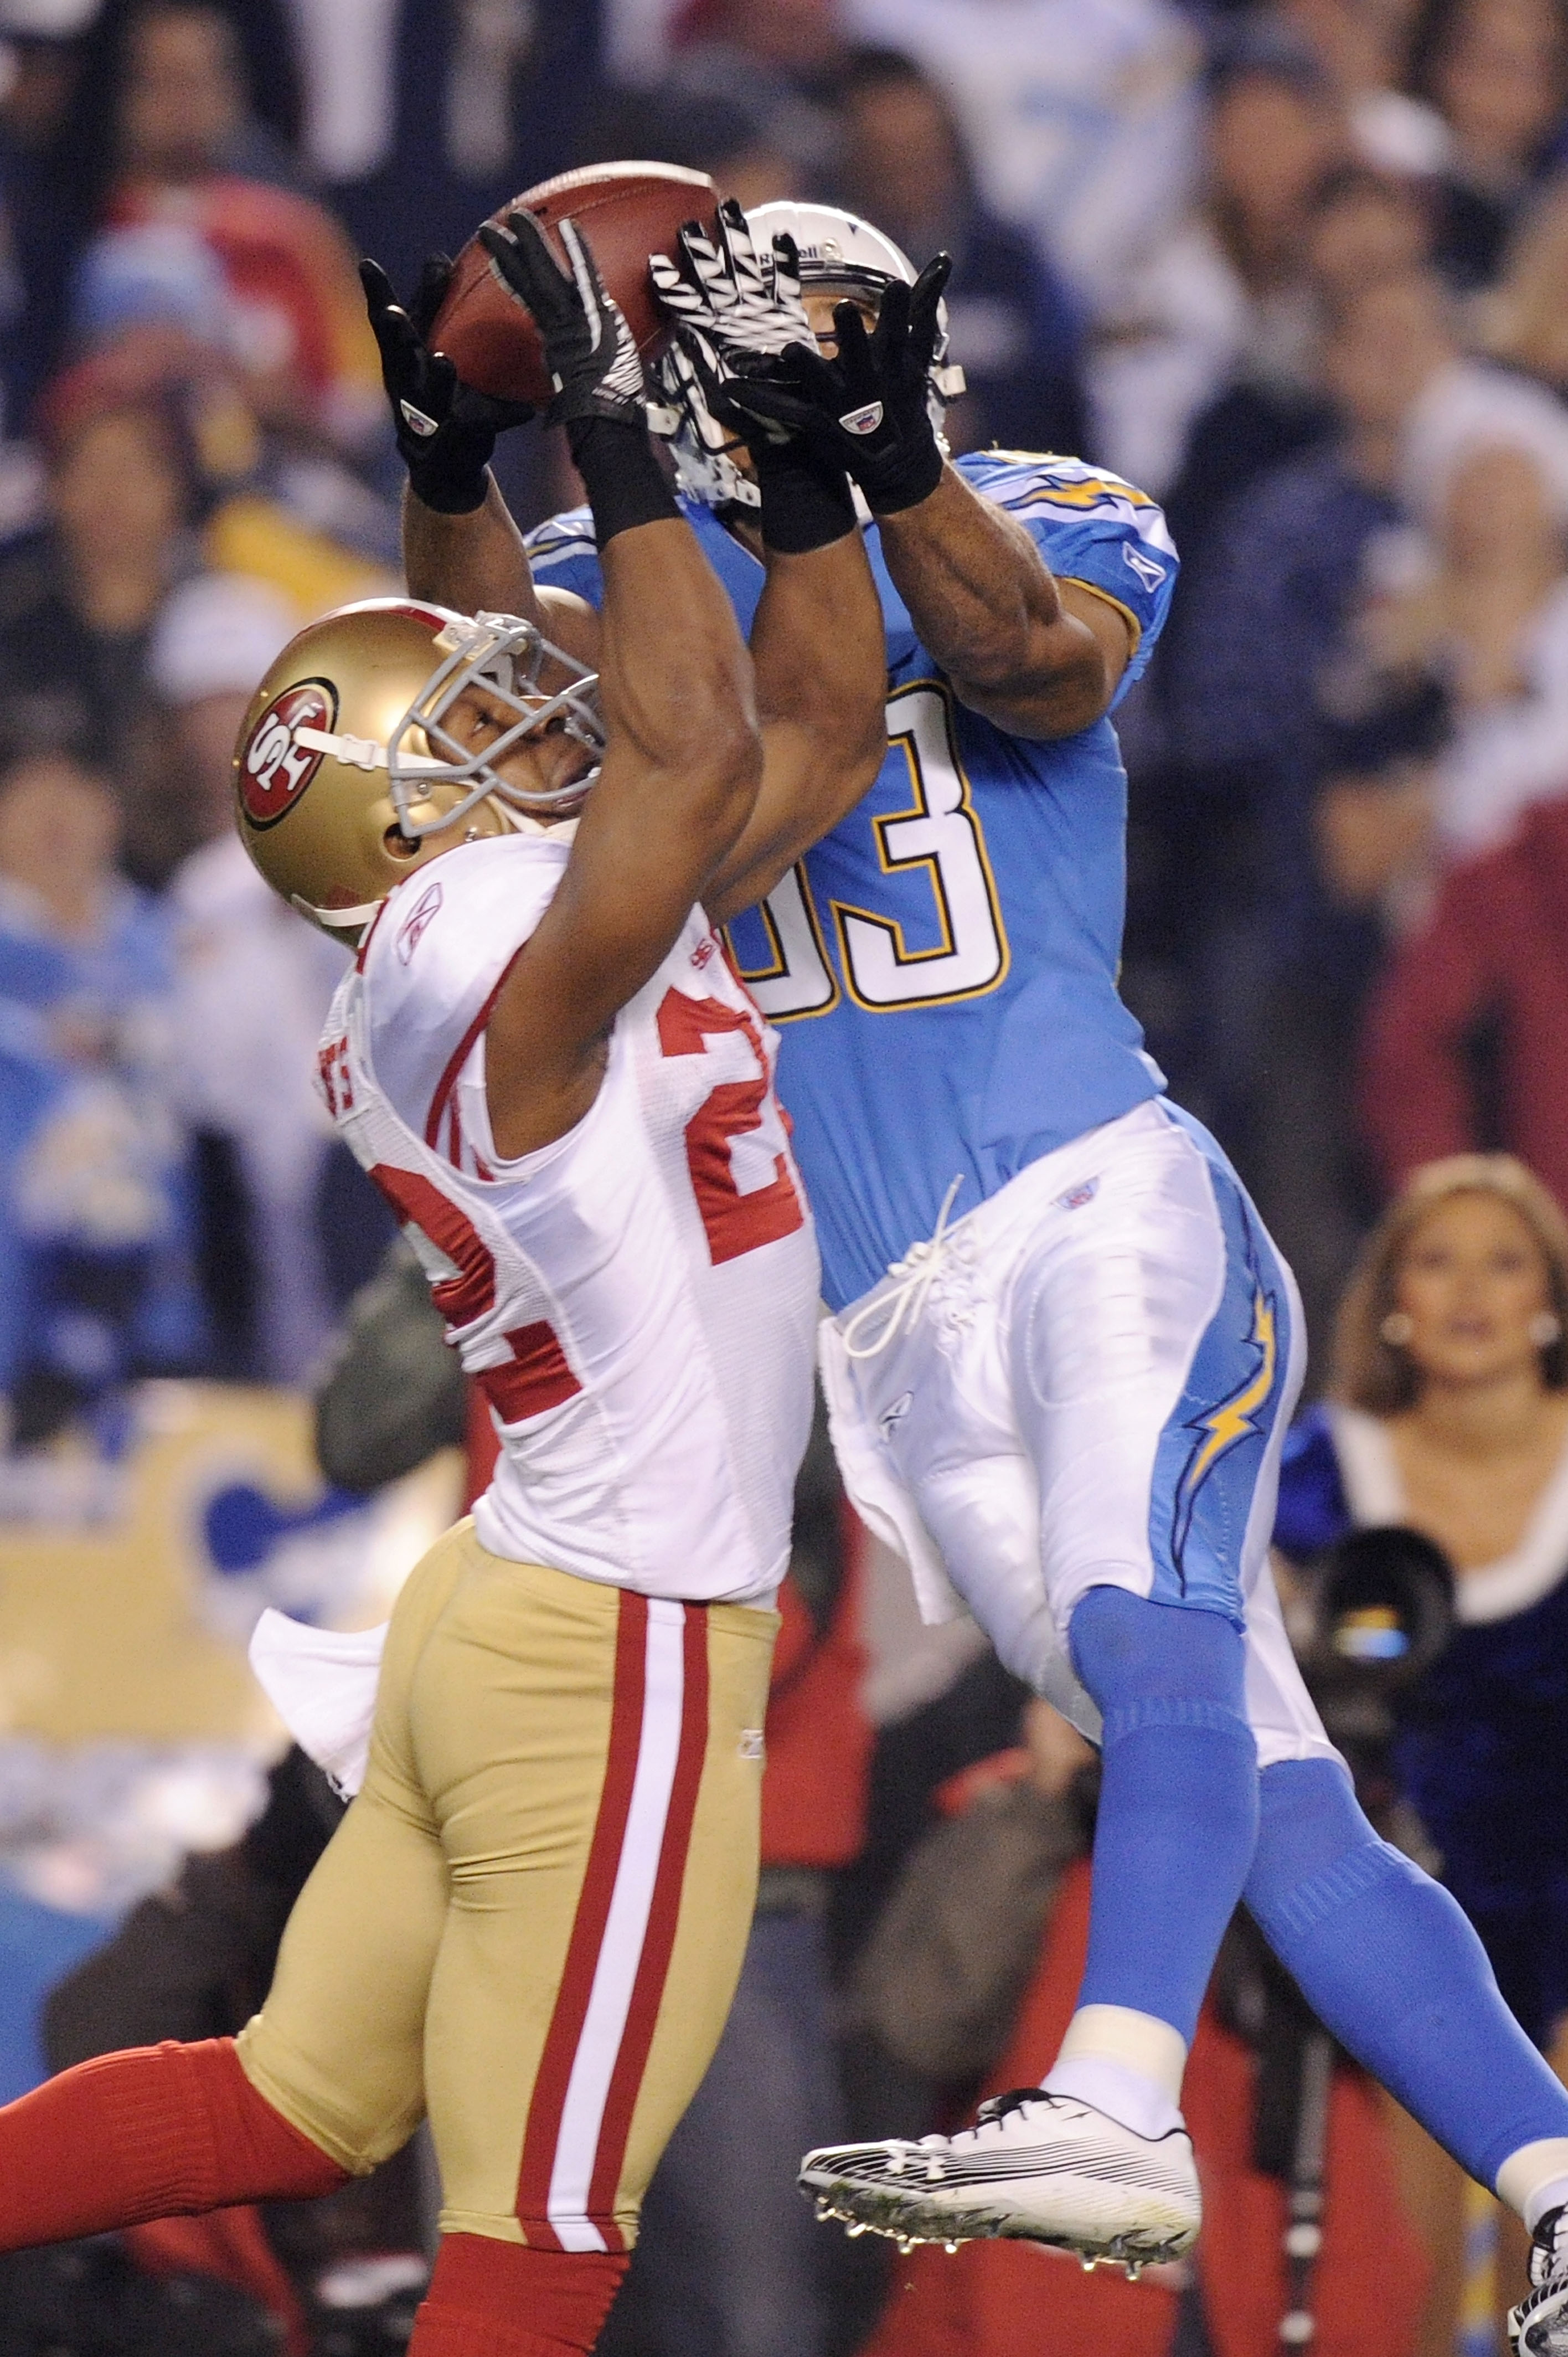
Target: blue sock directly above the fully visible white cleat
point(1178, 1809)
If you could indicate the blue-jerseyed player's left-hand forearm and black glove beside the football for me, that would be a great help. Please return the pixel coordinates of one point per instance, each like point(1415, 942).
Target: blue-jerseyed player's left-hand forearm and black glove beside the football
point(461, 546)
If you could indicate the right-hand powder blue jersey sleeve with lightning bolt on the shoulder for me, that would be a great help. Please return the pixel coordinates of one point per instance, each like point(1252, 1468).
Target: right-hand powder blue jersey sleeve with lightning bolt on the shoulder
point(1095, 529)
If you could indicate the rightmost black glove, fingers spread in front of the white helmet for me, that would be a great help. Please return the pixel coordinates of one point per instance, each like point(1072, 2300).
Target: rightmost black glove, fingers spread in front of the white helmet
point(867, 409)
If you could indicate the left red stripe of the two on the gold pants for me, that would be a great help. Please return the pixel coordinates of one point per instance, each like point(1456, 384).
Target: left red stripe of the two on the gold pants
point(577, 1990)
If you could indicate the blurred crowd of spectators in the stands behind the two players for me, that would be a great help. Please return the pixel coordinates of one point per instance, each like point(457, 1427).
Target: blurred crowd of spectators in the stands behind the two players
point(1298, 272)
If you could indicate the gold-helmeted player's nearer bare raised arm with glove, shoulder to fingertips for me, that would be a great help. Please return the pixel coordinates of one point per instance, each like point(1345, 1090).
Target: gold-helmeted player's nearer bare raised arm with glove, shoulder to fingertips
point(683, 755)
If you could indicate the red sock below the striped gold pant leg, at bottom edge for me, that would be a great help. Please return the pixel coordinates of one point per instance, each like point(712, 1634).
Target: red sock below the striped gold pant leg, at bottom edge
point(501, 2299)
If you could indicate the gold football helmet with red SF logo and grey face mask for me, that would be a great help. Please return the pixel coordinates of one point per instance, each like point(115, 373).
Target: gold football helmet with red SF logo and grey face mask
point(345, 772)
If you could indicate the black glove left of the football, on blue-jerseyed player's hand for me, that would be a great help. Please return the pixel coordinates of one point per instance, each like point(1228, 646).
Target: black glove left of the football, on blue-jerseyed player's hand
point(447, 430)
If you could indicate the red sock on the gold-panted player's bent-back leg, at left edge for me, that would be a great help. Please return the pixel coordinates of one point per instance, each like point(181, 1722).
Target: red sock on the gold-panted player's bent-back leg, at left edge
point(157, 2132)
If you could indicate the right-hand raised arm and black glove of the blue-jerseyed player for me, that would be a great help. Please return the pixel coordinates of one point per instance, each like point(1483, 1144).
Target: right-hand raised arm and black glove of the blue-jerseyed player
point(1036, 656)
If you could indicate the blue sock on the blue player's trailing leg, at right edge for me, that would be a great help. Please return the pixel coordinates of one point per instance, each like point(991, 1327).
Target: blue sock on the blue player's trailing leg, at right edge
point(1390, 1965)
